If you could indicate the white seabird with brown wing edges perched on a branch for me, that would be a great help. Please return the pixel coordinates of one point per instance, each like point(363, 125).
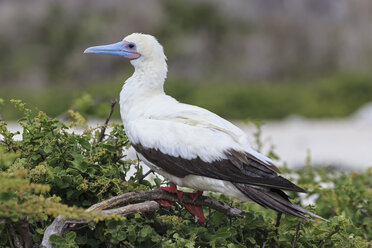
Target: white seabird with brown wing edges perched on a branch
point(189, 145)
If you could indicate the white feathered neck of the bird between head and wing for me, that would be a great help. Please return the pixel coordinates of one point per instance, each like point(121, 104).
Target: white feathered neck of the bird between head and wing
point(146, 82)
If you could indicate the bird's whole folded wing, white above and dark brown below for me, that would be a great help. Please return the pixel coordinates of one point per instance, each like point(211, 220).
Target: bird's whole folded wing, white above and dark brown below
point(188, 140)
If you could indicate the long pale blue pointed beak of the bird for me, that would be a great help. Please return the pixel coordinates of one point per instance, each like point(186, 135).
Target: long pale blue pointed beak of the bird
point(117, 49)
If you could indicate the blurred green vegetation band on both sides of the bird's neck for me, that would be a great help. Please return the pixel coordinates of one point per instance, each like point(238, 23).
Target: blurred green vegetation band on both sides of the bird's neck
point(335, 96)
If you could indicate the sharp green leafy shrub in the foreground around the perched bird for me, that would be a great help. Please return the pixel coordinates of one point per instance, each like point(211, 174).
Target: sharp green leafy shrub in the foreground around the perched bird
point(53, 167)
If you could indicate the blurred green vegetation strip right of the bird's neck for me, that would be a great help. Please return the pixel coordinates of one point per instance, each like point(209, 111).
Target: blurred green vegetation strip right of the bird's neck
point(335, 96)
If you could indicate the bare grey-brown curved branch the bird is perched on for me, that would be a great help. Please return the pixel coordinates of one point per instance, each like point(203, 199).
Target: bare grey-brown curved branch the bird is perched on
point(139, 202)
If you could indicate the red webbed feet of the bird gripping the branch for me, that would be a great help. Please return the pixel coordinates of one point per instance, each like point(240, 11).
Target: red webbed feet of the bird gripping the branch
point(195, 210)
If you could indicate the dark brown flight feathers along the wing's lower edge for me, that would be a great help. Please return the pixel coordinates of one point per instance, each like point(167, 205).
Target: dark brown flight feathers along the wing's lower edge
point(238, 167)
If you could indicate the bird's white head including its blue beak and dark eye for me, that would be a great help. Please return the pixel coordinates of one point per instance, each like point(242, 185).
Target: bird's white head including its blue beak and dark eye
point(143, 50)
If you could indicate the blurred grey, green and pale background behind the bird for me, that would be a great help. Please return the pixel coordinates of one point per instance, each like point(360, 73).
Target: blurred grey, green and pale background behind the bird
point(303, 67)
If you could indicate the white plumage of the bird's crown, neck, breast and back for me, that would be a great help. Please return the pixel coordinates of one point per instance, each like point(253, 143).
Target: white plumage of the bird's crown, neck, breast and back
point(155, 119)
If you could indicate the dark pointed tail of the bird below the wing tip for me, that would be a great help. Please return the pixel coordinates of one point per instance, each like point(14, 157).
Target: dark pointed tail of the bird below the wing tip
point(274, 199)
